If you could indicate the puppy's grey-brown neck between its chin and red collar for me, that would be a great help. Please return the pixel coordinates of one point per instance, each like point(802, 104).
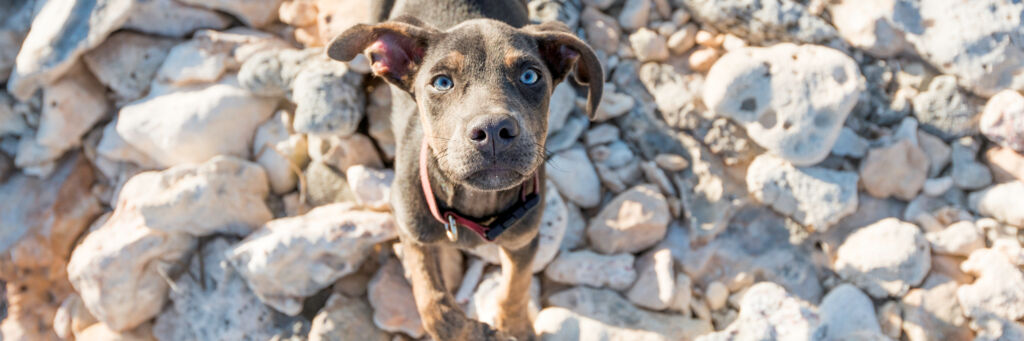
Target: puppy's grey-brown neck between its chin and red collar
point(467, 201)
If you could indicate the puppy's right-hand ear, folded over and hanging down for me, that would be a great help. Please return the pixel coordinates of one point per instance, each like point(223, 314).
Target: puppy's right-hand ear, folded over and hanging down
point(562, 51)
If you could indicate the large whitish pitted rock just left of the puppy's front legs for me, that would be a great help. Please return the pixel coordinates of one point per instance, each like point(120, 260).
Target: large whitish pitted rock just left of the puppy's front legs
point(292, 259)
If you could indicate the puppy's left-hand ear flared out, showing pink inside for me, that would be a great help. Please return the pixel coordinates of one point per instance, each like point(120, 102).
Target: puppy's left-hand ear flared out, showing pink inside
point(396, 49)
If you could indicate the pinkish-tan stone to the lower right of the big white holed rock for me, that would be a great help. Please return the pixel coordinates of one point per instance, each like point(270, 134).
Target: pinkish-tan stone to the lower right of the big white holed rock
point(899, 170)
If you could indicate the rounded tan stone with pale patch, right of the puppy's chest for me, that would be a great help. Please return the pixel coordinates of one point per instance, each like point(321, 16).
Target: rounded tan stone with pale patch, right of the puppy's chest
point(633, 222)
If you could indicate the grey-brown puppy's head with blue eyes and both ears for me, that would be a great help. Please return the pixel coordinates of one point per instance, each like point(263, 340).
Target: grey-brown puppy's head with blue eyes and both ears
point(482, 88)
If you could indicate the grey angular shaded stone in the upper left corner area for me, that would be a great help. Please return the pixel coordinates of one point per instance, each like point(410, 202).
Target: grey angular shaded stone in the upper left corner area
point(129, 62)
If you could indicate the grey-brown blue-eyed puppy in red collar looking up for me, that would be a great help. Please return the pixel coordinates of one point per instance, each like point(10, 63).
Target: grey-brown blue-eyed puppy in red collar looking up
point(471, 81)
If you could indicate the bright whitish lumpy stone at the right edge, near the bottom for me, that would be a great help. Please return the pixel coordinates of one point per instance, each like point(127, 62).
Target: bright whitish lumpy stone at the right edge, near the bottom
point(999, 289)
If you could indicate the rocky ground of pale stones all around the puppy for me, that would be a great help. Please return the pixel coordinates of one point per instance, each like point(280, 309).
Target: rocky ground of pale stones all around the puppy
point(758, 169)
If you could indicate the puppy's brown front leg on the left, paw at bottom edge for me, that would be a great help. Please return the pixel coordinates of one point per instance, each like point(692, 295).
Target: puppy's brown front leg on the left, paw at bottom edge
point(442, 317)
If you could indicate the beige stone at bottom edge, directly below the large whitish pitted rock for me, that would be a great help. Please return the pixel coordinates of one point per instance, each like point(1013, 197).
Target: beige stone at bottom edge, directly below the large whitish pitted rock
point(344, 319)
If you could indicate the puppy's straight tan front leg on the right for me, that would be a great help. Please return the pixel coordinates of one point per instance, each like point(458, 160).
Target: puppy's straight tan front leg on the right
point(514, 300)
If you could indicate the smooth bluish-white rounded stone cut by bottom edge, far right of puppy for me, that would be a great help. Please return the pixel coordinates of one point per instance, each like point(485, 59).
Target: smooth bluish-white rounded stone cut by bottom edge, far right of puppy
point(847, 313)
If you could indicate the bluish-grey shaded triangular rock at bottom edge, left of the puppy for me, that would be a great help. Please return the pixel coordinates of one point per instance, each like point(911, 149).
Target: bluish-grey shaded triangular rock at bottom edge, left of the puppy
point(217, 306)
